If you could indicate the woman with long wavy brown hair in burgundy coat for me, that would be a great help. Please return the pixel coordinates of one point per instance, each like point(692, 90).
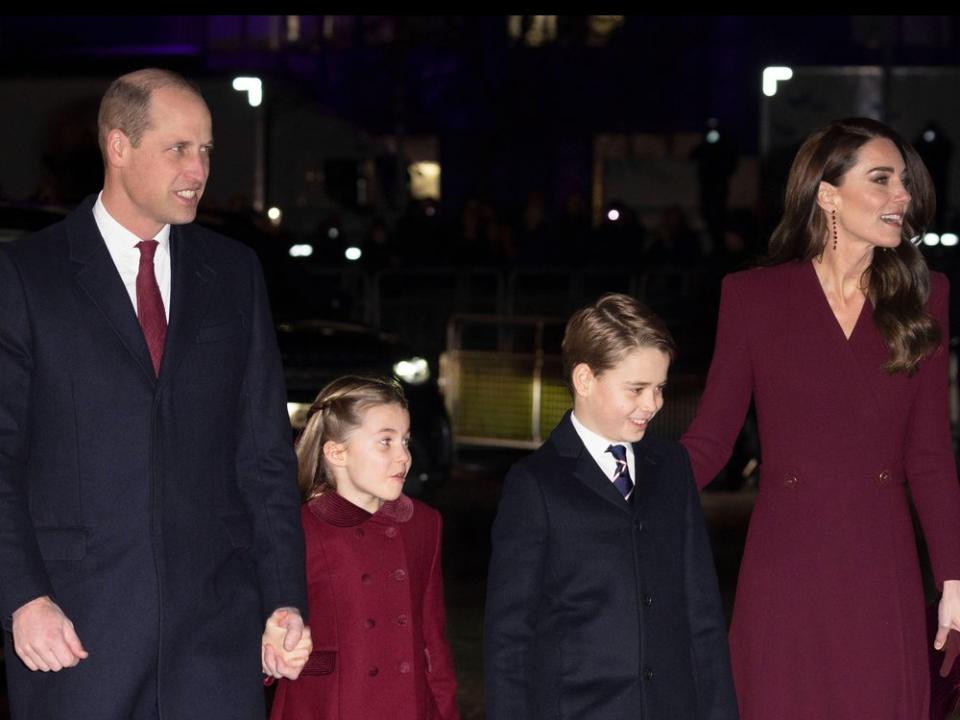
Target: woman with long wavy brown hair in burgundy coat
point(841, 341)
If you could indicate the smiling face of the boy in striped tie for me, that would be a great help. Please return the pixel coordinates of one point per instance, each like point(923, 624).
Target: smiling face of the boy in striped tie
point(620, 402)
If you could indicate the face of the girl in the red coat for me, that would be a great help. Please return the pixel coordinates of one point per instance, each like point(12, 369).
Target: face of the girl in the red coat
point(371, 465)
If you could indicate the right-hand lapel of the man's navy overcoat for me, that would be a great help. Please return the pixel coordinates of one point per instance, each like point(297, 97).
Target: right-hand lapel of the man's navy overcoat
point(191, 287)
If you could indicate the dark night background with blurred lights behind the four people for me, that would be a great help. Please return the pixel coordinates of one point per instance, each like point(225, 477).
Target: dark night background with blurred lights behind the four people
point(576, 155)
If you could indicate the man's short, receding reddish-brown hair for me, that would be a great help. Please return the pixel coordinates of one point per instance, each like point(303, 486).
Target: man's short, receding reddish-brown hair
point(126, 103)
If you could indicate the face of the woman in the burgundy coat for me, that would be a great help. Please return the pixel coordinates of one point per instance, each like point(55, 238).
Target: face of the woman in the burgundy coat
point(872, 198)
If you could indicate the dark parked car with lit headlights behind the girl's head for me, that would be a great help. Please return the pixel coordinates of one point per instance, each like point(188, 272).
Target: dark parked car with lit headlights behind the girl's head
point(316, 351)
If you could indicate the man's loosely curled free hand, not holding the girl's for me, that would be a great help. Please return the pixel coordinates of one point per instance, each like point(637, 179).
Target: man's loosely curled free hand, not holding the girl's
point(44, 638)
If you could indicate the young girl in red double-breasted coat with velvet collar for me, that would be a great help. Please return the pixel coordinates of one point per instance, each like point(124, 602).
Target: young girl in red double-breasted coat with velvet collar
point(373, 568)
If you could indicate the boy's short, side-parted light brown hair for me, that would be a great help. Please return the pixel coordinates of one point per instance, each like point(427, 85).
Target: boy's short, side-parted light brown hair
point(601, 334)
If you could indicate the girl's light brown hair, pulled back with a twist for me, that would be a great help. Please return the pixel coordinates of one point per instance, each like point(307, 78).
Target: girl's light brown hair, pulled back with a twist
point(335, 414)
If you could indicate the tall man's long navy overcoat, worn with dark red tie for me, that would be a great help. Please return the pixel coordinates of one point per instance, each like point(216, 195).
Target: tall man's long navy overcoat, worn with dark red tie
point(161, 514)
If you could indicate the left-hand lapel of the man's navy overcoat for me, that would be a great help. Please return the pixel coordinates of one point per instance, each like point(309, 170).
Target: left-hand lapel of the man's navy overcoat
point(99, 279)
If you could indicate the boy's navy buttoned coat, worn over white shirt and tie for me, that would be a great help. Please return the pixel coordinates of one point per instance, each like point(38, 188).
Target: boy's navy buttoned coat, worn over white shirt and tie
point(601, 609)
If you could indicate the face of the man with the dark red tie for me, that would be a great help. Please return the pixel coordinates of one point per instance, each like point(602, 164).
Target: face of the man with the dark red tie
point(164, 176)
